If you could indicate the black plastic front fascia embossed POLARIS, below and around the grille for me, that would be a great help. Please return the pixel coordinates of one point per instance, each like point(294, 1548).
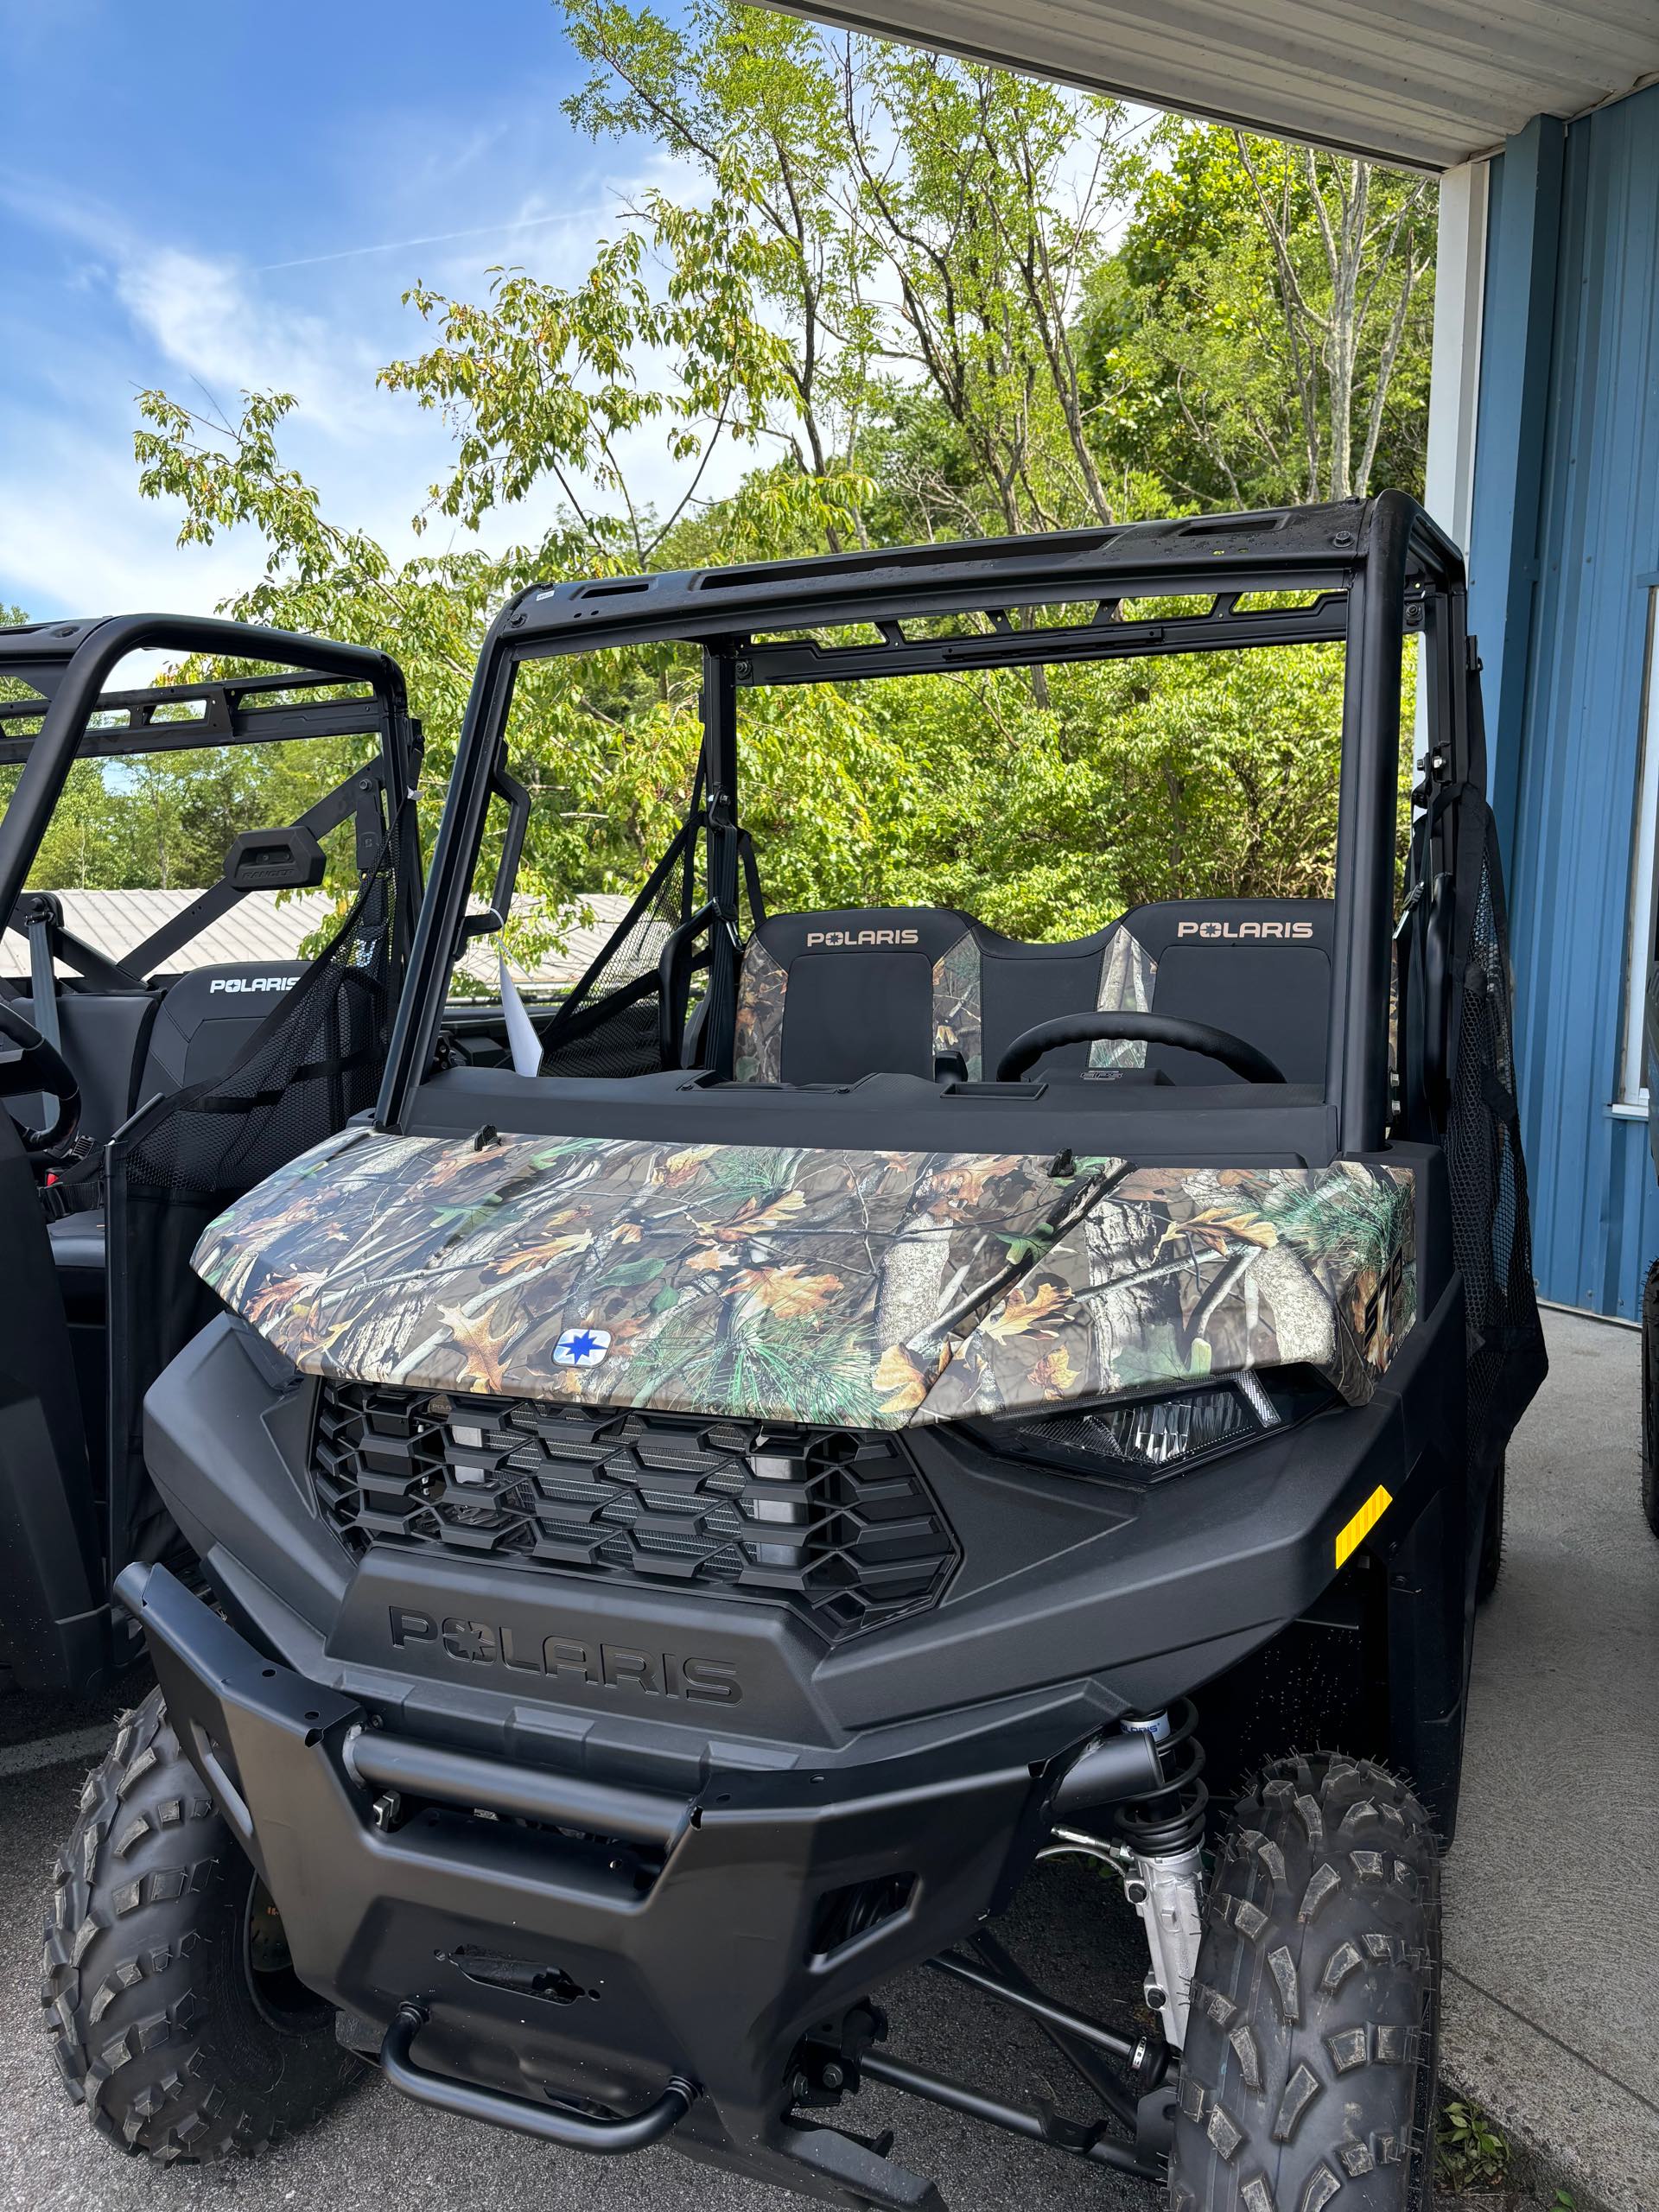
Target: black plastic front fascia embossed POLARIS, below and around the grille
point(1074, 1600)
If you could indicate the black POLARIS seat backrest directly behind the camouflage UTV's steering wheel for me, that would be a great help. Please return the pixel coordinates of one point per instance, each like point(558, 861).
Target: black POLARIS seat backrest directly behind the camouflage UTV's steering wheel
point(1260, 968)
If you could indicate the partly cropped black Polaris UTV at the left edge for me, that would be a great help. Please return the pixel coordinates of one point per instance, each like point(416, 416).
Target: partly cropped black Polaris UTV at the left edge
point(147, 1087)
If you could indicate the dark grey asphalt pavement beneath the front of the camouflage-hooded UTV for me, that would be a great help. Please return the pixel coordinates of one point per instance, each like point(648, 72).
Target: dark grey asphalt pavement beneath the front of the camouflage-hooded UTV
point(382, 2156)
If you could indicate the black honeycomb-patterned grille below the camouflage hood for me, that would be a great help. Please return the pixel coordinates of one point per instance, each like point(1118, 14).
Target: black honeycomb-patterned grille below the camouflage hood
point(831, 1521)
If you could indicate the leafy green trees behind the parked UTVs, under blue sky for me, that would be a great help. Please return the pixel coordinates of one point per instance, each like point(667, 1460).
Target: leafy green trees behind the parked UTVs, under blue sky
point(917, 300)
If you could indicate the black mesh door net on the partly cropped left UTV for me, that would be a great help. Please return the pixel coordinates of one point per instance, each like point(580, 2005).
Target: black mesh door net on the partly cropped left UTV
point(311, 1065)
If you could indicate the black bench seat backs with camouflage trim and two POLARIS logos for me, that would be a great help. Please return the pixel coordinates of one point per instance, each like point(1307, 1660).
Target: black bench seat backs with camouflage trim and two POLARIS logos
point(842, 994)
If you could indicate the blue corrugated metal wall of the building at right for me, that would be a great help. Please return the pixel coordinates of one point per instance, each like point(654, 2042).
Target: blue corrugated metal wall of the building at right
point(1574, 735)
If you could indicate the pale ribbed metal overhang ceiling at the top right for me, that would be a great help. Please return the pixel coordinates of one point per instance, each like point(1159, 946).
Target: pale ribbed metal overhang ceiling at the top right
point(1428, 83)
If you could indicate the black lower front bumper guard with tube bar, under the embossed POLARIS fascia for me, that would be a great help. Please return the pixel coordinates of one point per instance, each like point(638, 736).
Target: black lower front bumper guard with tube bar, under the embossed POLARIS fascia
point(583, 1943)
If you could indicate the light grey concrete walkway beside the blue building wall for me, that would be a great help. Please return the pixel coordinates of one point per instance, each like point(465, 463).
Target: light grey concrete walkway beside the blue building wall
point(1554, 1884)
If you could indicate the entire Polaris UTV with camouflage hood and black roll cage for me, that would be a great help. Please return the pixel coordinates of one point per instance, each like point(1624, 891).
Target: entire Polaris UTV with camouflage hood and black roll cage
point(859, 1408)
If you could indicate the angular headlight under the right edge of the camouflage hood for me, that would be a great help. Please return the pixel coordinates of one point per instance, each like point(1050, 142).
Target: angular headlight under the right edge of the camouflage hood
point(1147, 1439)
